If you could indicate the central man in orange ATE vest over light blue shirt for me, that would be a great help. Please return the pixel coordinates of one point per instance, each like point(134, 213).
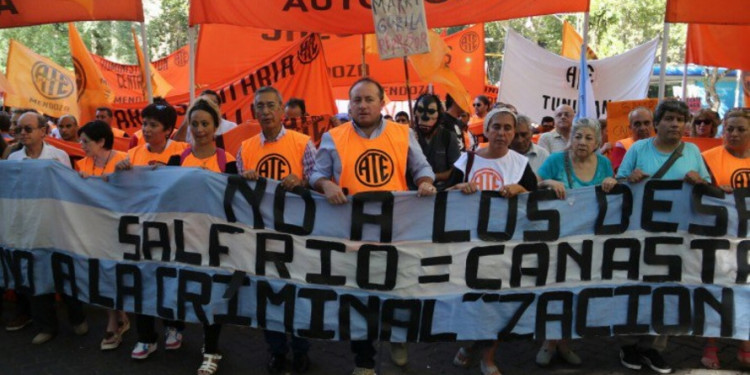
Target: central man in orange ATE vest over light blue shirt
point(369, 153)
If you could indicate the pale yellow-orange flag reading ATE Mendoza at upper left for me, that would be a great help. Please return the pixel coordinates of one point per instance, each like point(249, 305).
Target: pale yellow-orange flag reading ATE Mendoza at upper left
point(39, 83)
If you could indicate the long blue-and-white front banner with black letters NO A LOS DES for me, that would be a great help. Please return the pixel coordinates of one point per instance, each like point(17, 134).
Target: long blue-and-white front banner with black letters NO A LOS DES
point(659, 257)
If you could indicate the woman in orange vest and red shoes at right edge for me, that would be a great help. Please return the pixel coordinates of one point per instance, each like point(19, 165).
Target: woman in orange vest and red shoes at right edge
point(723, 162)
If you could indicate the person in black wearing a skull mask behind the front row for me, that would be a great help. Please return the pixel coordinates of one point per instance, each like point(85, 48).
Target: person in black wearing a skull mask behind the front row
point(439, 145)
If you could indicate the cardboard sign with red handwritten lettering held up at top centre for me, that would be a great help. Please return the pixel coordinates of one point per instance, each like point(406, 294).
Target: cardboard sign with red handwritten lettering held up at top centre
point(401, 27)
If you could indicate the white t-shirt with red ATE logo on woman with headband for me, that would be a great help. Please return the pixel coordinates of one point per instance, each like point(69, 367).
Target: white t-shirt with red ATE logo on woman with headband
point(493, 174)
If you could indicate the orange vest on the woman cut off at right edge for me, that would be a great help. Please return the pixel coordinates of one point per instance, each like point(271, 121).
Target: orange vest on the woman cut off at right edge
point(727, 169)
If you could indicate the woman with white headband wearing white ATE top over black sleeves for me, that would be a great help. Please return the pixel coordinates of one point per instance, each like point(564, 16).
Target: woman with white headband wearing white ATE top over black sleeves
point(495, 167)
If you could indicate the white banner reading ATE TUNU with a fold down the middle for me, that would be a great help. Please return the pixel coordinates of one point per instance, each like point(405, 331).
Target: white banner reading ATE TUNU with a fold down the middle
point(537, 81)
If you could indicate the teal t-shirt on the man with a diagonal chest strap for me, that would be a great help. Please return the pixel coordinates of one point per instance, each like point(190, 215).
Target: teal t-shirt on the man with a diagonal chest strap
point(645, 156)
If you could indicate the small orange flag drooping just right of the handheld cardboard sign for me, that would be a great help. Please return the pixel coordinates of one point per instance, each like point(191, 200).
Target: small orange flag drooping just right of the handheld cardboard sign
point(433, 67)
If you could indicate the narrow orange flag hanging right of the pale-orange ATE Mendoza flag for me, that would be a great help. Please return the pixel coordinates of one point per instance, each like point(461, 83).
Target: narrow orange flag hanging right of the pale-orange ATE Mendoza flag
point(93, 90)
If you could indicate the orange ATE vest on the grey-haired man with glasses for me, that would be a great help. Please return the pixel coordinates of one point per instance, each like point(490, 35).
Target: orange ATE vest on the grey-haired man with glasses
point(275, 160)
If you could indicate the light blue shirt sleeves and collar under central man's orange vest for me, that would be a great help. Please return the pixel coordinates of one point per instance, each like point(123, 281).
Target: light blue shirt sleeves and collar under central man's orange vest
point(328, 161)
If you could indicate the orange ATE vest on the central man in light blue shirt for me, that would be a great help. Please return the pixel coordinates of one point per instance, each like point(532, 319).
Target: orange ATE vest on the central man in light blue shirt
point(372, 164)
